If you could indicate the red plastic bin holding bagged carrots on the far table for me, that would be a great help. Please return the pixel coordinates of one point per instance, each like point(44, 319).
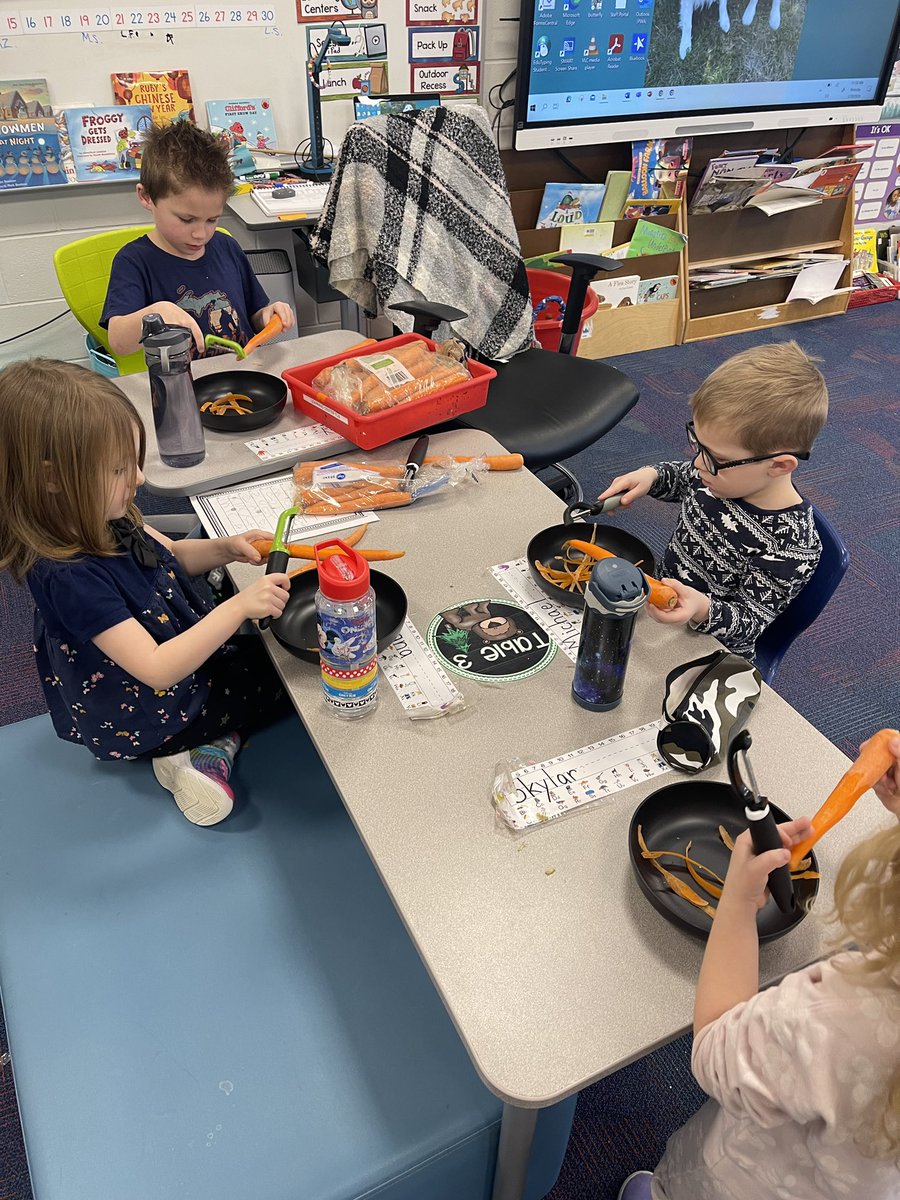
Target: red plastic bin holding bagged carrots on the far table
point(380, 429)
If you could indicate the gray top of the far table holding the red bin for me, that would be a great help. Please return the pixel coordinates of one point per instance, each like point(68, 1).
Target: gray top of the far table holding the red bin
point(229, 461)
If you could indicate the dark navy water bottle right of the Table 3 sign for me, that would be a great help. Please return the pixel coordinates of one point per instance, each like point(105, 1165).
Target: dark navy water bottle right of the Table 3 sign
point(614, 596)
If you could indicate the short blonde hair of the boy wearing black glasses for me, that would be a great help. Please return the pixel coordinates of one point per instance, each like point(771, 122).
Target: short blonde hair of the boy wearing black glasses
point(769, 399)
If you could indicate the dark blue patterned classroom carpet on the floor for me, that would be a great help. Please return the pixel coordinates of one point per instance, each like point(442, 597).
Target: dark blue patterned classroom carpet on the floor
point(843, 675)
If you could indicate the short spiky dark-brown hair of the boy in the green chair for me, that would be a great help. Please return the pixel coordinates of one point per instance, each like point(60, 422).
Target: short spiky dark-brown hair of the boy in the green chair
point(181, 155)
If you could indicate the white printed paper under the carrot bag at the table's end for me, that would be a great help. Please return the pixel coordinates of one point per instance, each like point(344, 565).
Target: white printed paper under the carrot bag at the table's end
point(259, 505)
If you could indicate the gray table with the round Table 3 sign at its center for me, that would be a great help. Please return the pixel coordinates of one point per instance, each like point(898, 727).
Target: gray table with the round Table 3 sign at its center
point(553, 981)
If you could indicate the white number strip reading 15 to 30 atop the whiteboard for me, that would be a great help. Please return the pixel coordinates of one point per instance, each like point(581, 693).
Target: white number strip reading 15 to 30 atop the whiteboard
point(107, 20)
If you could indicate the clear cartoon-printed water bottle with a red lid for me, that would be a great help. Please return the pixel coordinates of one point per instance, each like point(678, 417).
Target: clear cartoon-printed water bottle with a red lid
point(346, 622)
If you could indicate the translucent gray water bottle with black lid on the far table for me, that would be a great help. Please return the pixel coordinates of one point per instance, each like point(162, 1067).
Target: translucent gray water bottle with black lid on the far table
point(177, 417)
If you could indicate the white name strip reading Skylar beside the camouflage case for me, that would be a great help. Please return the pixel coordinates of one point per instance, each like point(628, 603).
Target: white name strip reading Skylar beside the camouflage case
point(544, 791)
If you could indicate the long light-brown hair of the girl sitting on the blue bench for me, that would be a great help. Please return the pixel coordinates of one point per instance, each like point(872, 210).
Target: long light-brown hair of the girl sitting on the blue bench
point(63, 429)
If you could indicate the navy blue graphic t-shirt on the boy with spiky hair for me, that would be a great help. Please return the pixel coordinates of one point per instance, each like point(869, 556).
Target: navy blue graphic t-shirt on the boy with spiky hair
point(220, 290)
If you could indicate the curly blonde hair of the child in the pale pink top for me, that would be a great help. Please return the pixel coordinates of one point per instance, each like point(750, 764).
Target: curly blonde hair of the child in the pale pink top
point(867, 901)
